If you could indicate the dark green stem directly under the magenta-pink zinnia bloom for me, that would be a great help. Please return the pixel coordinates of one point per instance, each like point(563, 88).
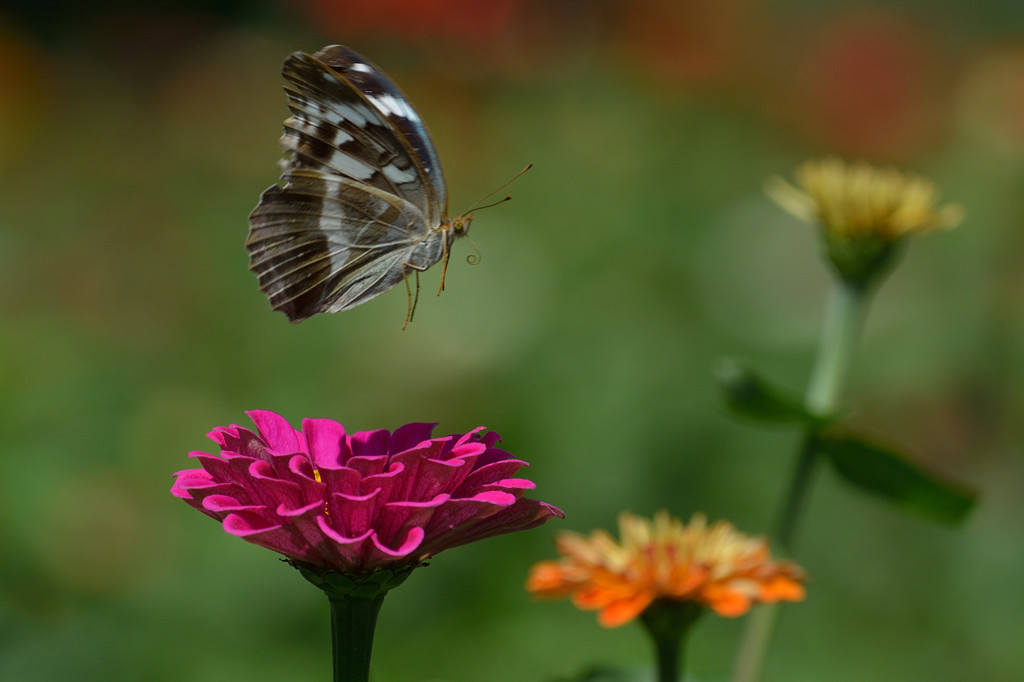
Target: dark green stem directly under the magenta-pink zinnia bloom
point(354, 621)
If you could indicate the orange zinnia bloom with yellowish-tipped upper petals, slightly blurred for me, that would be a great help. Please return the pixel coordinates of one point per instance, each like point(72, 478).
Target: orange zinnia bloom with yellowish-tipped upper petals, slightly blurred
point(715, 567)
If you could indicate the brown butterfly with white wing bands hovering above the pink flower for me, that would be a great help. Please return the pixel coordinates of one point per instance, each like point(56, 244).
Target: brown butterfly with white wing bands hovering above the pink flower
point(362, 202)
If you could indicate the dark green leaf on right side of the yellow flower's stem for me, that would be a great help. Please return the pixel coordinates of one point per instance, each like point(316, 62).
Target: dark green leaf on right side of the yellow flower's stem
point(891, 476)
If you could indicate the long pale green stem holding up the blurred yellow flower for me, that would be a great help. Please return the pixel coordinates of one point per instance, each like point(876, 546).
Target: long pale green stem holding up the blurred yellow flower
point(844, 320)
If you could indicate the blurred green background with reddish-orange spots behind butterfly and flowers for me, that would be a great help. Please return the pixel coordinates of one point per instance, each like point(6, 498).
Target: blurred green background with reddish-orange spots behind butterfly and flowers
point(136, 138)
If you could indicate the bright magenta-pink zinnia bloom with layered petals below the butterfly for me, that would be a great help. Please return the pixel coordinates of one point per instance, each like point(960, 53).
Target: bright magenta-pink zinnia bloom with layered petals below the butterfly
point(357, 503)
